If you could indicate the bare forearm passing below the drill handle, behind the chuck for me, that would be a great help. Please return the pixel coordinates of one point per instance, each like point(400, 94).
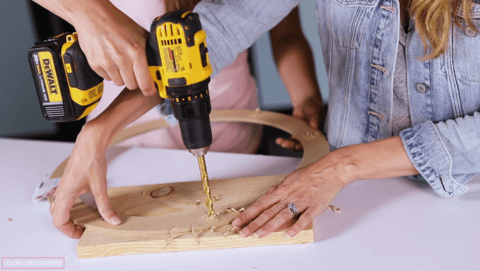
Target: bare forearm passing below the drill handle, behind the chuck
point(126, 108)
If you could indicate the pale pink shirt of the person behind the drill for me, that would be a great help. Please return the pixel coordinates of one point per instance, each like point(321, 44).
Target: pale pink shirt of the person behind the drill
point(232, 88)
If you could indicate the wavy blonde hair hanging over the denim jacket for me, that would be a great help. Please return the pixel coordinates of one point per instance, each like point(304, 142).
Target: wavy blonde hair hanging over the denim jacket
point(433, 19)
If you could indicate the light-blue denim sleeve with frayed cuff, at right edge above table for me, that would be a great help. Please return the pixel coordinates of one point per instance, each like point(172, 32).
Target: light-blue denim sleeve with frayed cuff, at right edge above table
point(446, 154)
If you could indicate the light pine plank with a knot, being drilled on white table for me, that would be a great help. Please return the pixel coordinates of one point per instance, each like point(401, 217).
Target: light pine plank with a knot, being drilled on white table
point(164, 224)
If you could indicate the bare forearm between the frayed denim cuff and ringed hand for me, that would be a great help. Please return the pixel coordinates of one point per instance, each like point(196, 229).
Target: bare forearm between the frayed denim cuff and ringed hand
point(380, 159)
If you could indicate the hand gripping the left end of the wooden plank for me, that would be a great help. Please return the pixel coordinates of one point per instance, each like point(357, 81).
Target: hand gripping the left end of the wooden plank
point(85, 172)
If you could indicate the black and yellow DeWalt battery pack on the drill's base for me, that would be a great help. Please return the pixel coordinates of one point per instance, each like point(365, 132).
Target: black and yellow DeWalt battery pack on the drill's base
point(67, 88)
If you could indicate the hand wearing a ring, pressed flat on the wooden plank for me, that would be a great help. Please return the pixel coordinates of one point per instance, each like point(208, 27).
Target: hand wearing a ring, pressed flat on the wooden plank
point(311, 189)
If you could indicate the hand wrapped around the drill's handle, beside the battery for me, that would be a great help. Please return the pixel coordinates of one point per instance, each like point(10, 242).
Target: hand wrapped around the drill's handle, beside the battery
point(114, 46)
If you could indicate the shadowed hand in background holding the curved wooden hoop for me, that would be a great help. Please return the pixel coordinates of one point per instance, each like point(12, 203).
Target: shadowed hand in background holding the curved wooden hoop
point(310, 110)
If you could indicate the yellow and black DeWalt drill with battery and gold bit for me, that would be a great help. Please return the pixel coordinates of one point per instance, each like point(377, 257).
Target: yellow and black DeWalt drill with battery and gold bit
point(68, 89)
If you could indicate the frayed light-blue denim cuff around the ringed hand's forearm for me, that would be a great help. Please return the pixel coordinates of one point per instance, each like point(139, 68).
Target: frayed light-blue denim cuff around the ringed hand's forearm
point(430, 157)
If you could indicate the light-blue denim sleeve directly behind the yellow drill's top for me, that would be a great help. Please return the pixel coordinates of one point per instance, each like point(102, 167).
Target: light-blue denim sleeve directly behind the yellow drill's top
point(234, 25)
